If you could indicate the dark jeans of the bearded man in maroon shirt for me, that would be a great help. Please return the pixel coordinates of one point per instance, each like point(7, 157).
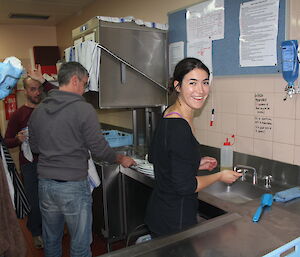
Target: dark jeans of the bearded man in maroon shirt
point(34, 221)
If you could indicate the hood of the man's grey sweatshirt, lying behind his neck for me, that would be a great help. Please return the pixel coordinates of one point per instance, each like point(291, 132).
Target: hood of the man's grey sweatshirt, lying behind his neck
point(58, 99)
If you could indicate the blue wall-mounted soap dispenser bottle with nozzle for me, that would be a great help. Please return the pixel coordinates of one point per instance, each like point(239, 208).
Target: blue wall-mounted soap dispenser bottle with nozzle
point(290, 66)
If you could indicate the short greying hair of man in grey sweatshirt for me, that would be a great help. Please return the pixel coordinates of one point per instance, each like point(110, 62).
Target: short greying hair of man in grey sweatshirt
point(69, 69)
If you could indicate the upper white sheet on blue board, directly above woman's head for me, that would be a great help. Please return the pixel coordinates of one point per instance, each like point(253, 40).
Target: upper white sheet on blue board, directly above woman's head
point(205, 20)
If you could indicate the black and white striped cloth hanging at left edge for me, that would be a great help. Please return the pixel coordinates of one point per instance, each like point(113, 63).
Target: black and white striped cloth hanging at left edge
point(20, 200)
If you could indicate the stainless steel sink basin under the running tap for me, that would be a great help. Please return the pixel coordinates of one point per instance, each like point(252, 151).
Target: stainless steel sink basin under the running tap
point(239, 192)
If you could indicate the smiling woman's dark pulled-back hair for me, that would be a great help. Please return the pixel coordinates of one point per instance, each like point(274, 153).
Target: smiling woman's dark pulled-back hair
point(184, 67)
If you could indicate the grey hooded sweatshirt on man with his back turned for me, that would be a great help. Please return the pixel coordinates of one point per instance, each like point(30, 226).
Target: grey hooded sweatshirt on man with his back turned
point(61, 130)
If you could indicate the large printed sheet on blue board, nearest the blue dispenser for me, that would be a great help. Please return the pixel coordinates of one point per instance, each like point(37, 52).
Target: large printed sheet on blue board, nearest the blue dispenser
point(258, 33)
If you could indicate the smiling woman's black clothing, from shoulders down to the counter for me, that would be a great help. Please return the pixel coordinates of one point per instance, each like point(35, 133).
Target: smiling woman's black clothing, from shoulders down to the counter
point(175, 155)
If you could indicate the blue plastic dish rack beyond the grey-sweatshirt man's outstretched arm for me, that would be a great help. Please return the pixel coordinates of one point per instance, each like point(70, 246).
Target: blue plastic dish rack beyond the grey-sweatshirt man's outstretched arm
point(117, 138)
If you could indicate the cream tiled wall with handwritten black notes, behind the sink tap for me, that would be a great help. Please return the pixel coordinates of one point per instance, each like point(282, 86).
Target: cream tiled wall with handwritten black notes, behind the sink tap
point(234, 101)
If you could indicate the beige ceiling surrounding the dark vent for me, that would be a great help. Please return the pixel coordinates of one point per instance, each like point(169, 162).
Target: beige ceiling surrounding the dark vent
point(57, 10)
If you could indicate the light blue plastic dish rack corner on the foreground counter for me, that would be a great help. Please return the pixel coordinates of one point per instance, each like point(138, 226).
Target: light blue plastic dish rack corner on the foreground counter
point(291, 249)
